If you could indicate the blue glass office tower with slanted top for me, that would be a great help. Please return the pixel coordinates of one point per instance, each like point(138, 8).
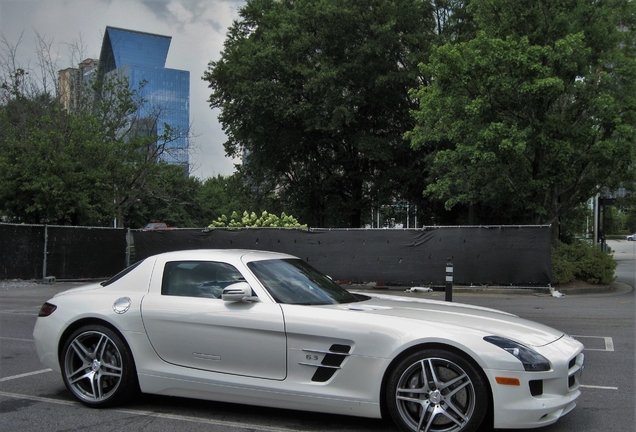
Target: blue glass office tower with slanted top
point(141, 57)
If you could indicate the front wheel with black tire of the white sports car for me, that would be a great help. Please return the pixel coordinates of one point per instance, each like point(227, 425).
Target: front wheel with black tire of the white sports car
point(452, 398)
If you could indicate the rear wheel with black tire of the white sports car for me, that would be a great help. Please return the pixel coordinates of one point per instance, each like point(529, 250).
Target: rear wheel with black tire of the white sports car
point(98, 368)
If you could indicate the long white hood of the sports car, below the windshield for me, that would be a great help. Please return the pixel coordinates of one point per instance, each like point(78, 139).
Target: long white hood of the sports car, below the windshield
point(488, 321)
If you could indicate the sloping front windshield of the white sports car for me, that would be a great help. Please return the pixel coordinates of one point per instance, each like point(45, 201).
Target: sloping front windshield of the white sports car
point(293, 281)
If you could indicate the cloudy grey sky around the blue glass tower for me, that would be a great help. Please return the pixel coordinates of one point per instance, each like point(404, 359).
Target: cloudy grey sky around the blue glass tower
point(197, 28)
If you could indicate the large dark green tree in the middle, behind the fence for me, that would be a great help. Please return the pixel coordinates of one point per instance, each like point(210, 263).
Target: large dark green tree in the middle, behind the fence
point(314, 96)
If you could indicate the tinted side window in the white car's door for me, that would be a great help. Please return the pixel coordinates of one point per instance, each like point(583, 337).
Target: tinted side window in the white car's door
point(198, 278)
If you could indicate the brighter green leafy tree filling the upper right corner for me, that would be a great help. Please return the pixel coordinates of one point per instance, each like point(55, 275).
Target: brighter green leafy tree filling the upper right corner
point(536, 113)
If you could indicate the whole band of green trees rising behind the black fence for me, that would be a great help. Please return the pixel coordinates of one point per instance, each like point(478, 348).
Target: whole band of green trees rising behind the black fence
point(523, 111)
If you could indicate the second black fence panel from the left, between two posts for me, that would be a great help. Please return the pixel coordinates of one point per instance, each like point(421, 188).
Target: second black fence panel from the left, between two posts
point(82, 252)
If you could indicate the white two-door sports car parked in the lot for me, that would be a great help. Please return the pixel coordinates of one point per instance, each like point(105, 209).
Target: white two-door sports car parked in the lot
point(267, 329)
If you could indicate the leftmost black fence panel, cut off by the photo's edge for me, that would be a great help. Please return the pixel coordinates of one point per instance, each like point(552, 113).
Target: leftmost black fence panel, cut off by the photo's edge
point(21, 251)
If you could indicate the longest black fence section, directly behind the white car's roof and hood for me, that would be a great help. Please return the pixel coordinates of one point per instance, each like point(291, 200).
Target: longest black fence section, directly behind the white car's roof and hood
point(481, 255)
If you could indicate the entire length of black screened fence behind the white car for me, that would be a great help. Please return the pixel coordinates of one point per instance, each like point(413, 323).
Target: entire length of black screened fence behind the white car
point(481, 255)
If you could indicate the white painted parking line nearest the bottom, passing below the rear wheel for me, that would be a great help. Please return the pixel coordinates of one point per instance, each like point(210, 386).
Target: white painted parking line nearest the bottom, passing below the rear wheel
point(163, 416)
